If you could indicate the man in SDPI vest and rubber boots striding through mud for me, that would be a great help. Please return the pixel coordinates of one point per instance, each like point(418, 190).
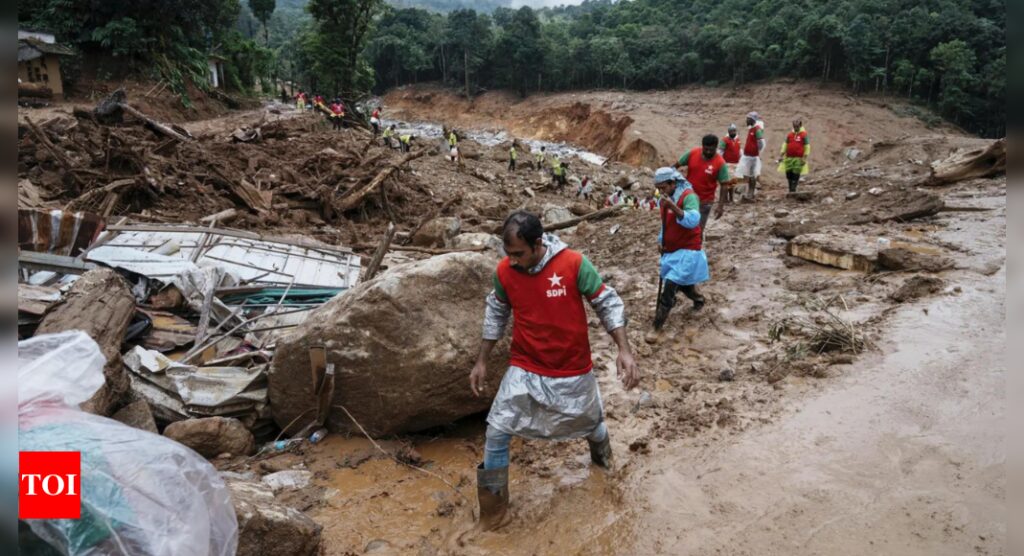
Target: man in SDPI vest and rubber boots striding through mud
point(549, 392)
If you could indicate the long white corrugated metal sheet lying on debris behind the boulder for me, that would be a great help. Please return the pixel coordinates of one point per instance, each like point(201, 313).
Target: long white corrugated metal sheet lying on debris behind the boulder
point(254, 262)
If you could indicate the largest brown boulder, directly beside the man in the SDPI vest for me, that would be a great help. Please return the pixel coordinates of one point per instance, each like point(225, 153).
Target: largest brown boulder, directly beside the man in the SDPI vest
point(403, 346)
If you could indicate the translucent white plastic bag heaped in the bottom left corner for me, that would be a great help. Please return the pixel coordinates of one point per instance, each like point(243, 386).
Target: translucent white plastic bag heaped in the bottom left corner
point(142, 494)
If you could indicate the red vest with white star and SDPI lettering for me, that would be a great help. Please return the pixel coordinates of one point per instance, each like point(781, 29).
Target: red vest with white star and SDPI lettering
point(549, 323)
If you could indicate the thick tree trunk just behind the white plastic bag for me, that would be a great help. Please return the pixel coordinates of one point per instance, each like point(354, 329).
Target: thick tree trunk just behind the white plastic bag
point(102, 306)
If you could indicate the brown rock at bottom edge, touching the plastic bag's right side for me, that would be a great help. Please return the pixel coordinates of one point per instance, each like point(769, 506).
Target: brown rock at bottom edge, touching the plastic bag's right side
point(264, 524)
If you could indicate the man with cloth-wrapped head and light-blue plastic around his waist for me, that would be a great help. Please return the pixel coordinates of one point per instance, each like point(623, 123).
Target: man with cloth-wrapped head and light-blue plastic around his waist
point(684, 263)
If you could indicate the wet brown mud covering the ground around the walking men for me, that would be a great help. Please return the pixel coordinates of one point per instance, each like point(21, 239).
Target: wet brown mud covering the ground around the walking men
point(743, 438)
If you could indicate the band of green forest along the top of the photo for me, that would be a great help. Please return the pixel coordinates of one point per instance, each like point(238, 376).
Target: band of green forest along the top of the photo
point(947, 55)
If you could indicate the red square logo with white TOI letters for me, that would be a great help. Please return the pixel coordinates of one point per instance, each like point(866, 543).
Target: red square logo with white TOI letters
point(50, 486)
